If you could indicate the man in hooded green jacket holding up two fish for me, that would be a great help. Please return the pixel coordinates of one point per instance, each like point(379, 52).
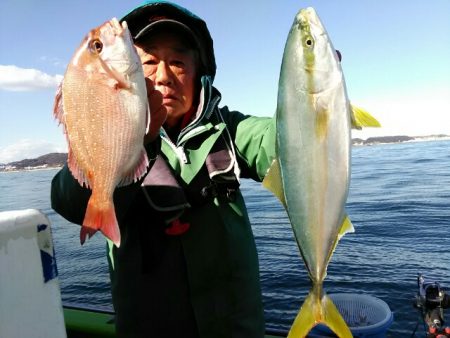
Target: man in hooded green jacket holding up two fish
point(187, 265)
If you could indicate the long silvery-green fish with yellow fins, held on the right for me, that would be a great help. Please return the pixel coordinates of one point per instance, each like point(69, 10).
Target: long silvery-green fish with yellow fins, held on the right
point(311, 173)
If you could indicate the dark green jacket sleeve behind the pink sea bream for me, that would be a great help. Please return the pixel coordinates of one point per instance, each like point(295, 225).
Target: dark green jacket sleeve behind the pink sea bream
point(69, 198)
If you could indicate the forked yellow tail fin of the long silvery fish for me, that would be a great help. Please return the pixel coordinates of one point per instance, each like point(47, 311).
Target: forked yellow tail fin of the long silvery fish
point(318, 308)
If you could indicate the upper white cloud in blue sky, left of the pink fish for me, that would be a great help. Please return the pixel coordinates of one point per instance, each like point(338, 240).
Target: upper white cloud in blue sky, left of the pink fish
point(13, 78)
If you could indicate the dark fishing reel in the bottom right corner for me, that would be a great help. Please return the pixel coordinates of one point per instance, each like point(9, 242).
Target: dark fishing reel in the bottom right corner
point(431, 299)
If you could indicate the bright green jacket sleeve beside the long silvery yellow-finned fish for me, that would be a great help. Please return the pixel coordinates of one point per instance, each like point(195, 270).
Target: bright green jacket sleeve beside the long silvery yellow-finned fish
point(254, 139)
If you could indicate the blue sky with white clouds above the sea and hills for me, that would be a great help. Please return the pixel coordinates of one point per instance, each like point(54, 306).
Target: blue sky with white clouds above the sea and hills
point(396, 60)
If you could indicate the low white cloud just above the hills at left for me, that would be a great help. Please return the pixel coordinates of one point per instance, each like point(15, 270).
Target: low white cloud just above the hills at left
point(27, 148)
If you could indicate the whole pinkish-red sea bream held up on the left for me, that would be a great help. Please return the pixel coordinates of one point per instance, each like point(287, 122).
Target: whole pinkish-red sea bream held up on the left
point(102, 103)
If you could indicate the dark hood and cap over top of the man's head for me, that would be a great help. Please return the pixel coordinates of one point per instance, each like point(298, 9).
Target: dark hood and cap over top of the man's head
point(154, 15)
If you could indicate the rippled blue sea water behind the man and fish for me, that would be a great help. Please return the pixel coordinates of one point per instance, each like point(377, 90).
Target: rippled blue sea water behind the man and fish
point(399, 203)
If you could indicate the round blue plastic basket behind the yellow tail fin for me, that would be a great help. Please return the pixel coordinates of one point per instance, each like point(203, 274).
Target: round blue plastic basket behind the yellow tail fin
point(366, 316)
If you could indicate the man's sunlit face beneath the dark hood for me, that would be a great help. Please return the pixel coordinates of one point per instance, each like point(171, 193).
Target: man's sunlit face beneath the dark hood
point(171, 68)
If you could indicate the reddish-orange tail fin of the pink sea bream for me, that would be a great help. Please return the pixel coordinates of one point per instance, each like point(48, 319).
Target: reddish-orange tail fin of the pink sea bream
point(100, 216)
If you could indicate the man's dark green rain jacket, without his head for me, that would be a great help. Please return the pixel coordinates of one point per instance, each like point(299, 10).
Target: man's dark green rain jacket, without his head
point(204, 282)
